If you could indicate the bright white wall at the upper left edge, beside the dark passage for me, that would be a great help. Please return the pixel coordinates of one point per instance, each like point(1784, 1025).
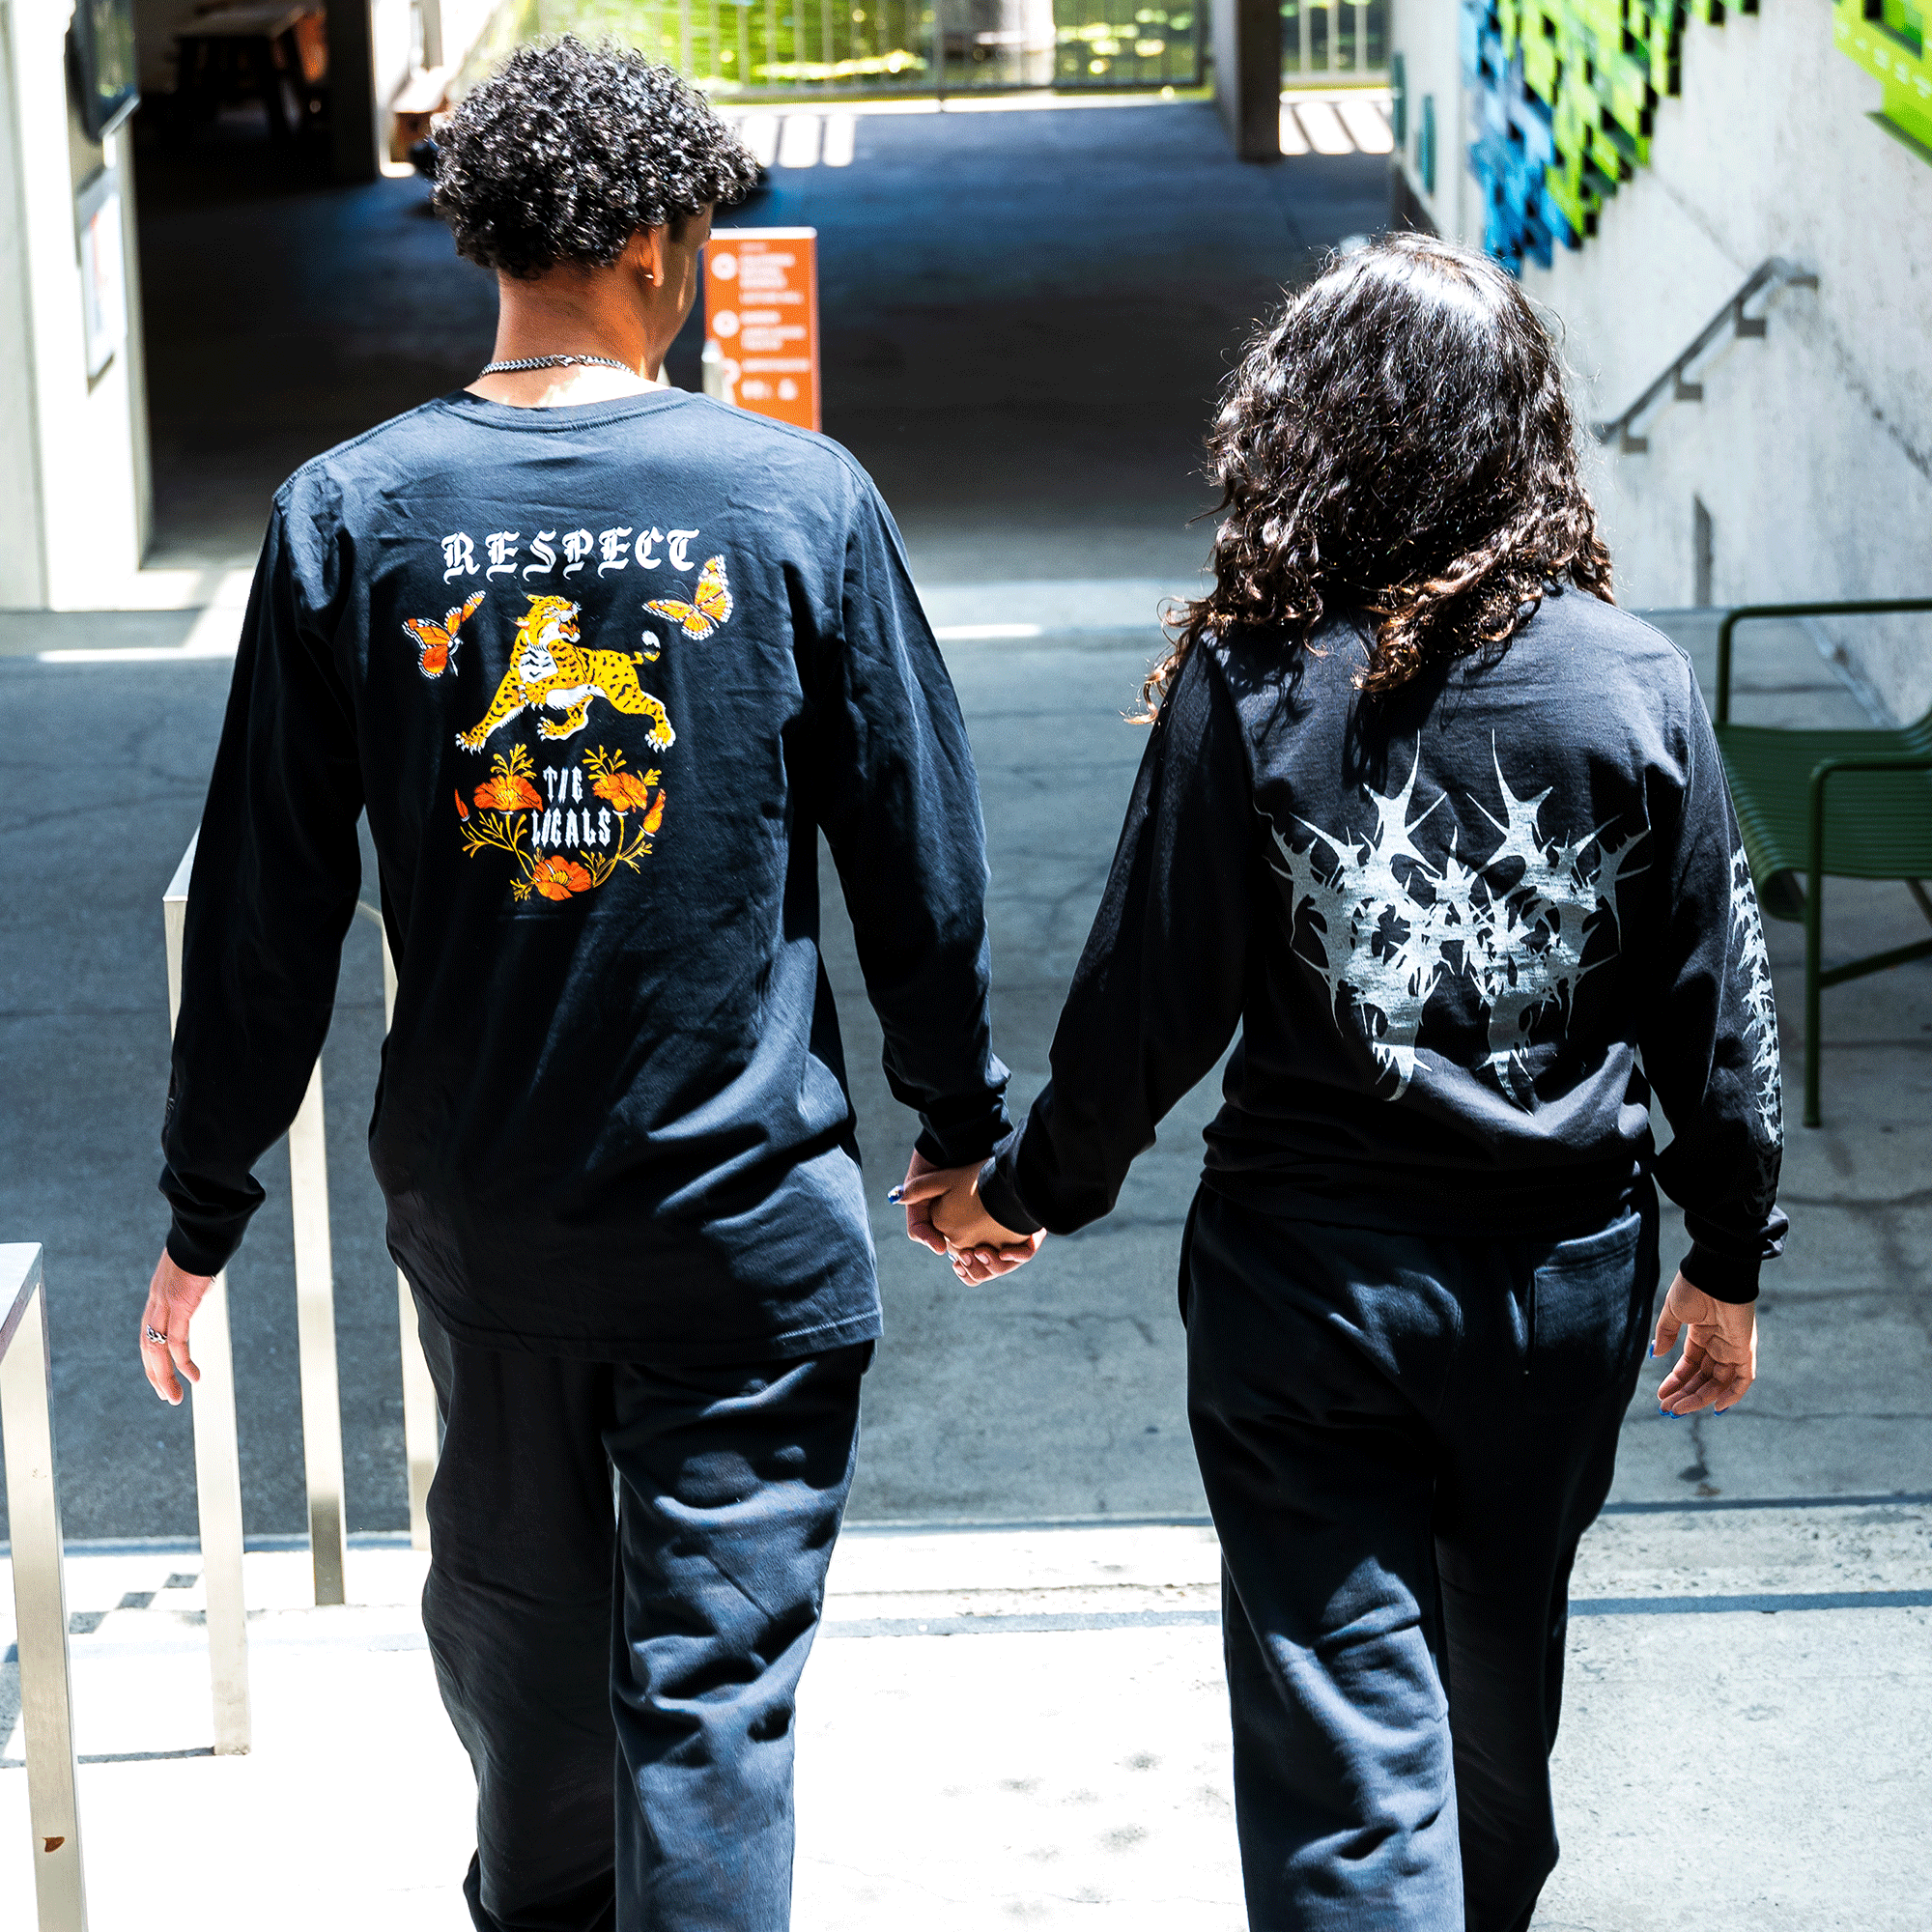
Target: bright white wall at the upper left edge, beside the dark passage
point(72, 449)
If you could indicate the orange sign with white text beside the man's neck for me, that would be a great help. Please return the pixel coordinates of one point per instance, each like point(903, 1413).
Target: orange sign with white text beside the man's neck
point(762, 322)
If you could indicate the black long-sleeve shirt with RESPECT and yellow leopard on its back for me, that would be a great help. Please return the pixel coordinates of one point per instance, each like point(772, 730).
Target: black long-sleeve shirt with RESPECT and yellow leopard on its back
point(598, 675)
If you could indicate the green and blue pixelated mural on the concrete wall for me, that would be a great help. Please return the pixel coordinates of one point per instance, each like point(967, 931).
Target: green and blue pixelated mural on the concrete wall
point(1566, 94)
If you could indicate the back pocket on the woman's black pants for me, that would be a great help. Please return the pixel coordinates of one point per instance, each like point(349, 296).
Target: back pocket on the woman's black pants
point(1589, 1309)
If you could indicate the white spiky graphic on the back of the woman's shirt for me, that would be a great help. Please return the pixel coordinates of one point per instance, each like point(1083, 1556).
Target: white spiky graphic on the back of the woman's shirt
point(1392, 926)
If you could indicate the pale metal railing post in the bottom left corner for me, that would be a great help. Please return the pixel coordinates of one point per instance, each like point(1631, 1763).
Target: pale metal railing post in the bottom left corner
point(40, 1591)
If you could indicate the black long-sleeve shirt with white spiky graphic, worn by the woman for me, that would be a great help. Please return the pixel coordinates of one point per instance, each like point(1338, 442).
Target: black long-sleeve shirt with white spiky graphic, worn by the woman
point(1463, 934)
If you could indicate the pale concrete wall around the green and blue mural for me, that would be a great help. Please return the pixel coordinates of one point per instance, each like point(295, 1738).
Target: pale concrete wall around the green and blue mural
point(1813, 447)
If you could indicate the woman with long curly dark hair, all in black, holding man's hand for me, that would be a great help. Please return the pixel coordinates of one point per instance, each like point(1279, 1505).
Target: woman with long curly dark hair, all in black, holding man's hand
point(1446, 838)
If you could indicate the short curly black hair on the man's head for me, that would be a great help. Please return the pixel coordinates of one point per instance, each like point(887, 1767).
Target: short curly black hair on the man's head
point(569, 150)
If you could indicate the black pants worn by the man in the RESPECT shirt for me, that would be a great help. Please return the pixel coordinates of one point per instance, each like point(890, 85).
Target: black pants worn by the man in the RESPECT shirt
point(623, 1678)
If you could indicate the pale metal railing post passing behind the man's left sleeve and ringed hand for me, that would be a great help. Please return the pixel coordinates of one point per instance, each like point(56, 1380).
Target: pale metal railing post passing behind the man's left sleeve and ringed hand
point(217, 1452)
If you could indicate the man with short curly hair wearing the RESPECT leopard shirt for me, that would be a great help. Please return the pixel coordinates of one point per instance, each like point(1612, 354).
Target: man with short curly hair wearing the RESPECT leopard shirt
point(602, 662)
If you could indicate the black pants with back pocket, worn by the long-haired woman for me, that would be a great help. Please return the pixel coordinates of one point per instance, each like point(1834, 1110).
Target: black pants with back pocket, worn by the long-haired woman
point(1404, 1440)
